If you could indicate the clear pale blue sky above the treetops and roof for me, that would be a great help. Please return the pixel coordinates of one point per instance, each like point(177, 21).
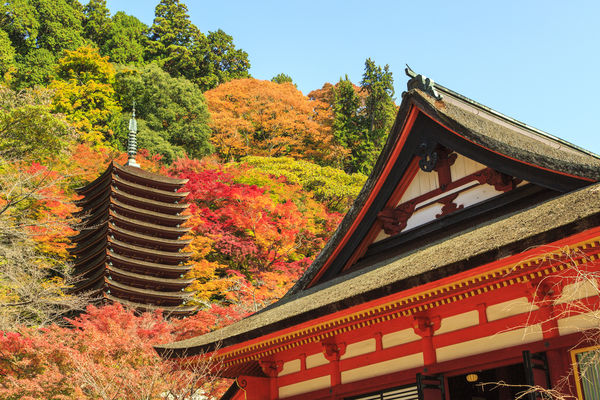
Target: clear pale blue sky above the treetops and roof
point(536, 61)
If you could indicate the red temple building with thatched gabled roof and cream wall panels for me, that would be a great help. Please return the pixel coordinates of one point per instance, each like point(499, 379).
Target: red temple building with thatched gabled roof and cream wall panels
point(470, 257)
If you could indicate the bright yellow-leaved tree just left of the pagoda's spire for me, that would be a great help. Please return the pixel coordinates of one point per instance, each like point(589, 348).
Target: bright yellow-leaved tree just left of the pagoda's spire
point(84, 92)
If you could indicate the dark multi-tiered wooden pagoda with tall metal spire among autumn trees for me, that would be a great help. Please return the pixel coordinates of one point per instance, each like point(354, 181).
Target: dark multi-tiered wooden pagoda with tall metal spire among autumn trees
point(130, 248)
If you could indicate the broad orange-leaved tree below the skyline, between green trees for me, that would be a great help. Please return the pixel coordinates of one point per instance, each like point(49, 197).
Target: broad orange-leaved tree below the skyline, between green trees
point(252, 117)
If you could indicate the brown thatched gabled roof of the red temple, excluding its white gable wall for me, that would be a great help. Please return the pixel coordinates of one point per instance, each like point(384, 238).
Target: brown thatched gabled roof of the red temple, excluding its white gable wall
point(571, 204)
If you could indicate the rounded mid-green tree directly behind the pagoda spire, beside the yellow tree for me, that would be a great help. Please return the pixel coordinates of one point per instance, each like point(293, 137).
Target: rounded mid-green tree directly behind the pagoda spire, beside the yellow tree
point(173, 116)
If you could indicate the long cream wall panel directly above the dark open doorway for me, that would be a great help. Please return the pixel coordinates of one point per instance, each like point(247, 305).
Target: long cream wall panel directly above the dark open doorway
point(490, 343)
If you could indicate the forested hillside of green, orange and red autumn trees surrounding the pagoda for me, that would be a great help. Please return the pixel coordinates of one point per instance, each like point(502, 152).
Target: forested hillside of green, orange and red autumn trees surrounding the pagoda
point(271, 172)
